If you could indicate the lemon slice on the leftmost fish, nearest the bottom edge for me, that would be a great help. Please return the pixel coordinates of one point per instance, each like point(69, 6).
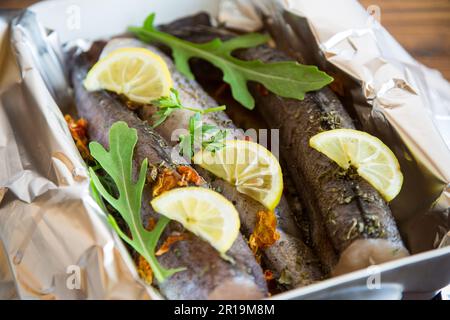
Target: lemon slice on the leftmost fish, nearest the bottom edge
point(204, 212)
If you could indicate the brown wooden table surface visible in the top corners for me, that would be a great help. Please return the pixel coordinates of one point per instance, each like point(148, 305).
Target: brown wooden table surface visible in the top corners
point(421, 26)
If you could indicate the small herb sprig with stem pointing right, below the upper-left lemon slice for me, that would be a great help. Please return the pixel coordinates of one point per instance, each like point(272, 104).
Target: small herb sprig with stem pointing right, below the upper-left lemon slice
point(169, 104)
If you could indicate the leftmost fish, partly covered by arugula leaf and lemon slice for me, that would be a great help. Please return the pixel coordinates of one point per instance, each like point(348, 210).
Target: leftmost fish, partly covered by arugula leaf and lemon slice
point(208, 275)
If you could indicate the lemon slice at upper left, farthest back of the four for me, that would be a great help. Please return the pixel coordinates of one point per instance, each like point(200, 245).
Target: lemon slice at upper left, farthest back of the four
point(139, 74)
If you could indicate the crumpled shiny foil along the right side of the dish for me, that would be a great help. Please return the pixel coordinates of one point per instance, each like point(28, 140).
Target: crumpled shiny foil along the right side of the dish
point(393, 96)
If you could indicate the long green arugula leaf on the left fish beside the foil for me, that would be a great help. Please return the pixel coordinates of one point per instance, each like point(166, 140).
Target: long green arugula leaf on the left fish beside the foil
point(117, 163)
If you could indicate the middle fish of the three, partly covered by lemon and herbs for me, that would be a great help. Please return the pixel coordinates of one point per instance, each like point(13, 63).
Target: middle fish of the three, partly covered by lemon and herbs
point(289, 255)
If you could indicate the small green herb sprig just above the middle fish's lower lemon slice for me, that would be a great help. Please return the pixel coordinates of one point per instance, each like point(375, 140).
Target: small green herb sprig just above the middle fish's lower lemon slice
point(207, 136)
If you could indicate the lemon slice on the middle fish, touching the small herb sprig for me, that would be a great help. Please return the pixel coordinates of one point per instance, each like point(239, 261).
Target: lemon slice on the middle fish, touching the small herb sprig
point(253, 169)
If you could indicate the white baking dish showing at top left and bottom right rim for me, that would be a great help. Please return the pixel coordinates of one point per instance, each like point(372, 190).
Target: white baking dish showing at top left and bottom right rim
point(417, 276)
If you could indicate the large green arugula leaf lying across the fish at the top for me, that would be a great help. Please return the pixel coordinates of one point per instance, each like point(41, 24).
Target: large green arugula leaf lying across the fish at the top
point(288, 79)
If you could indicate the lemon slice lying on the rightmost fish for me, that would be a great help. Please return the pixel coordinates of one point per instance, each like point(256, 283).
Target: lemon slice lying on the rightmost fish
point(374, 161)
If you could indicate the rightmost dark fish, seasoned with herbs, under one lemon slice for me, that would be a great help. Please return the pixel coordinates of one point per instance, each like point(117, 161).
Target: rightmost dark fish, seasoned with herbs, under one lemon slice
point(342, 210)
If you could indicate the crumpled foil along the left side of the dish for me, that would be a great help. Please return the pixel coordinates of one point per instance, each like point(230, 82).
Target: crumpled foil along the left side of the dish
point(55, 240)
